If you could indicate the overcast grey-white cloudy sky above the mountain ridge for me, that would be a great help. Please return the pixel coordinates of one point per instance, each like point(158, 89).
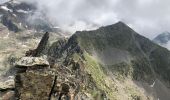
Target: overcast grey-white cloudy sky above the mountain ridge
point(147, 17)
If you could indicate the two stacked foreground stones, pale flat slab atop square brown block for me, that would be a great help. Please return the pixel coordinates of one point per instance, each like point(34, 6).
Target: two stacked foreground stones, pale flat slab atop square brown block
point(36, 82)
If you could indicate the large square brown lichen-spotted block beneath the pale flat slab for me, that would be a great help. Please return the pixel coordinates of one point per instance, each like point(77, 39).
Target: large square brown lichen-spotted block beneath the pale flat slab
point(34, 85)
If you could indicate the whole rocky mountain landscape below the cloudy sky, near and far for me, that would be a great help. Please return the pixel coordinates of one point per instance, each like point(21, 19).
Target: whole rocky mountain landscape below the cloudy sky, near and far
point(110, 63)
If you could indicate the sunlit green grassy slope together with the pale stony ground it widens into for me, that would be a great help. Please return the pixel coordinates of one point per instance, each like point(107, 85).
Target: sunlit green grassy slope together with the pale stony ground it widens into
point(116, 89)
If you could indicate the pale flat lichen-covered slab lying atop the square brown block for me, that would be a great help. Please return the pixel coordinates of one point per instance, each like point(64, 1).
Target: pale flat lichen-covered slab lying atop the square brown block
point(32, 62)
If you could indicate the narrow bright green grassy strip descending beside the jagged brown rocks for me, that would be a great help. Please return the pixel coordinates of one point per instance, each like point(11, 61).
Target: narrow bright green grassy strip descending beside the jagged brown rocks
point(100, 78)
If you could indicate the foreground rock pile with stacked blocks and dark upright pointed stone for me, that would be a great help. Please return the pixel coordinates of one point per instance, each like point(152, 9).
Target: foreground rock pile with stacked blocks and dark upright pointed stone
point(35, 80)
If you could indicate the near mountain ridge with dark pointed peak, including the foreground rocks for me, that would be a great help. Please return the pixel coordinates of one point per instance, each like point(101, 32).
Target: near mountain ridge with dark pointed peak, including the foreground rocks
point(112, 62)
